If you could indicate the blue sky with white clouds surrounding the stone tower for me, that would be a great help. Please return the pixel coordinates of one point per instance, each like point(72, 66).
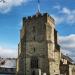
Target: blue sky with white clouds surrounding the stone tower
point(12, 11)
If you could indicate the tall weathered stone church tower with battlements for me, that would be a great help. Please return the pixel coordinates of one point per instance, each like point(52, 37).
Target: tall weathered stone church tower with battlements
point(39, 52)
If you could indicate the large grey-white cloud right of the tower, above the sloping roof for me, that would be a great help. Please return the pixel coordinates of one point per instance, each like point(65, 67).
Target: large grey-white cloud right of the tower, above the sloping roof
point(67, 44)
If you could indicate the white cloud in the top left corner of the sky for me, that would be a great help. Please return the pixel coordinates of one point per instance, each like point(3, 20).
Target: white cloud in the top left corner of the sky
point(8, 4)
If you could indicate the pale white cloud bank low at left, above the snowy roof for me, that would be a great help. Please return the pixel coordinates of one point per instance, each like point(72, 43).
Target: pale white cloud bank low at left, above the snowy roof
point(8, 52)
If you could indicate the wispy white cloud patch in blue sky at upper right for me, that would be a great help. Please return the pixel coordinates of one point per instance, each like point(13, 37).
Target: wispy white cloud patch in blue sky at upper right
point(66, 15)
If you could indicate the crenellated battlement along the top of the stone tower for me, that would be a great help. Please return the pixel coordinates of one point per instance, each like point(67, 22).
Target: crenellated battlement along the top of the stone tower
point(37, 15)
